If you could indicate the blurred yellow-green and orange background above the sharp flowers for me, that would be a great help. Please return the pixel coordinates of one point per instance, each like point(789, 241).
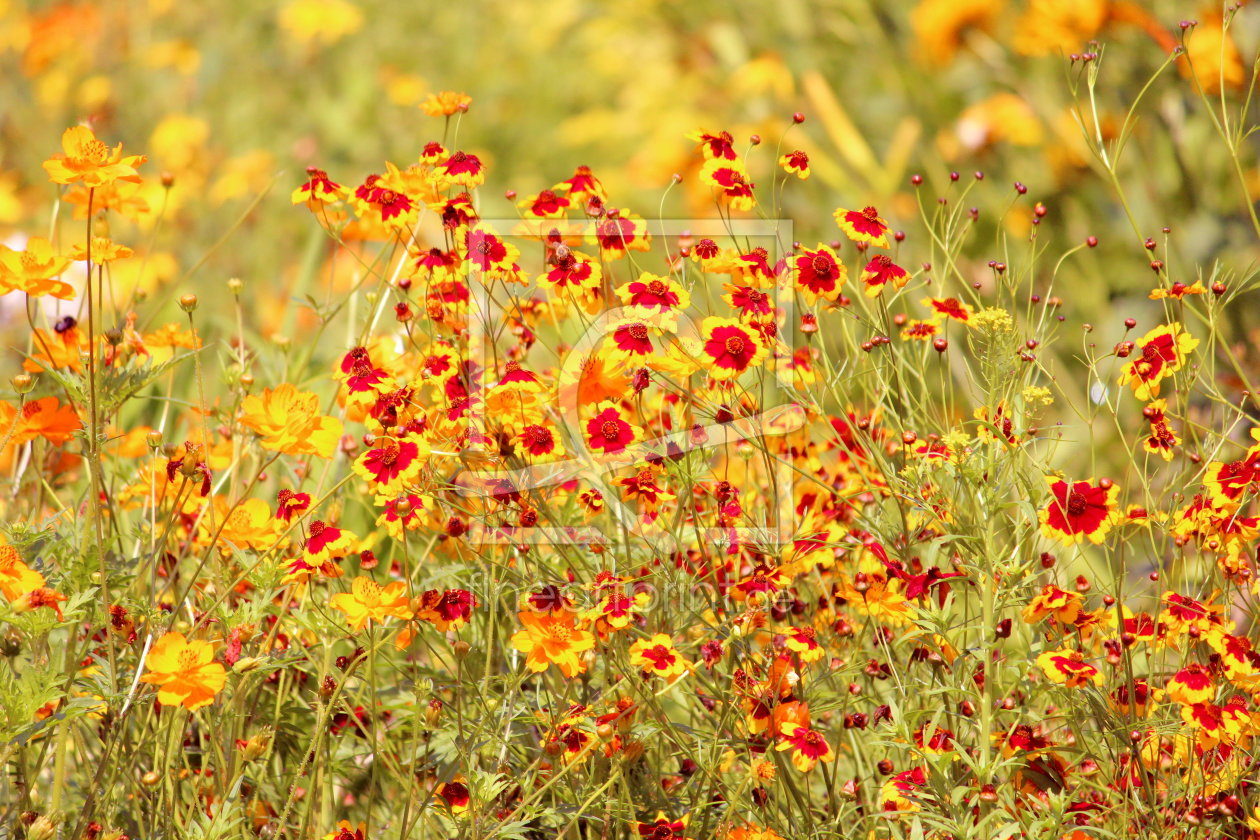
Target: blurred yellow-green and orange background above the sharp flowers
point(235, 100)
